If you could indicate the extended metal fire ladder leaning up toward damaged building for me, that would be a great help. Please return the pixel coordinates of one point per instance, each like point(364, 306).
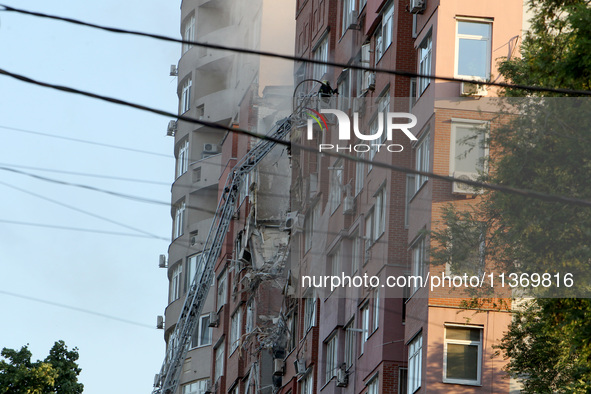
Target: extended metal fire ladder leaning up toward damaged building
point(167, 381)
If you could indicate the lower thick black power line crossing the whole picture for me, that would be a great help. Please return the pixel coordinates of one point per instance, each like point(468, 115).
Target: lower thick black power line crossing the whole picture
point(501, 188)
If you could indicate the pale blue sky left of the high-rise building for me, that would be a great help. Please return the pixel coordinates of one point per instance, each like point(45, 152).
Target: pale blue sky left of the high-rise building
point(103, 273)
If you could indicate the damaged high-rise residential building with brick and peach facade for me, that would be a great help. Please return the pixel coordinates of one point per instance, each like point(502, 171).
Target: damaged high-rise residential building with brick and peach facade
point(301, 213)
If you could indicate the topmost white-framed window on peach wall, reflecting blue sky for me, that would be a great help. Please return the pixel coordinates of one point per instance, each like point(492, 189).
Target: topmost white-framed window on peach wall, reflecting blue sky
point(473, 49)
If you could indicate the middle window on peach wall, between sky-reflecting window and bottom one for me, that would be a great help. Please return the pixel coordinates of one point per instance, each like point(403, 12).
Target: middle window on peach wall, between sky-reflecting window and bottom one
point(468, 149)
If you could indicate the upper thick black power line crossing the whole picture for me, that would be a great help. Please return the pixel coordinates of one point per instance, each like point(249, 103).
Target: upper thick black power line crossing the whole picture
point(407, 74)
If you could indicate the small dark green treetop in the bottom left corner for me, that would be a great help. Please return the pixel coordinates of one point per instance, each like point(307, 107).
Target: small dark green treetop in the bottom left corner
point(57, 373)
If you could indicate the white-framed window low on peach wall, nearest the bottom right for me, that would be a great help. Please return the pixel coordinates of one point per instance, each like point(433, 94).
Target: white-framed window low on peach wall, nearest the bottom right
point(462, 354)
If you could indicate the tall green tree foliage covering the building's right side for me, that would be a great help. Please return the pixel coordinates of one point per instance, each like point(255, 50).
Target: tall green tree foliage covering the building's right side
point(547, 149)
